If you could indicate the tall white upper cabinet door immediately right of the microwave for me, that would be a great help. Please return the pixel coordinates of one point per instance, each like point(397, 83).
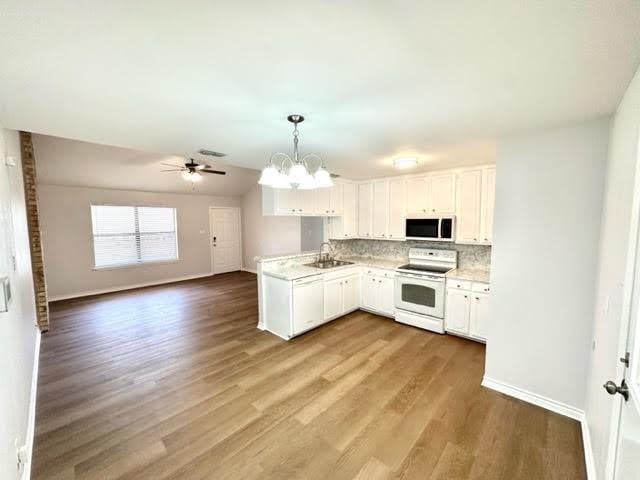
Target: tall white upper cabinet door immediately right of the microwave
point(468, 208)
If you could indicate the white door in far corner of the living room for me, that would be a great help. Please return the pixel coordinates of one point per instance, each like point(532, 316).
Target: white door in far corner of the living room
point(225, 239)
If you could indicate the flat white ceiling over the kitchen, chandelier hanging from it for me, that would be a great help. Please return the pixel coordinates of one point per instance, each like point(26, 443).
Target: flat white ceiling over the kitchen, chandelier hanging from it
point(440, 80)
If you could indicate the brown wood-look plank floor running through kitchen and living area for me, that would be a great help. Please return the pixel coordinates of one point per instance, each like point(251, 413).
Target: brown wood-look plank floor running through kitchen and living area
point(175, 381)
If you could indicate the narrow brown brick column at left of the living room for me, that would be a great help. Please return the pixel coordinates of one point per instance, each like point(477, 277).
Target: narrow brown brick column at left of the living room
point(35, 238)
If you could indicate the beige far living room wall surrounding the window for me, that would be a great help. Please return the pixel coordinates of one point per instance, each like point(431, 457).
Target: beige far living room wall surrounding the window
point(65, 218)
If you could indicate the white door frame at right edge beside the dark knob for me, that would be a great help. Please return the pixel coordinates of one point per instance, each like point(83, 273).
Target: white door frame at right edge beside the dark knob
point(626, 309)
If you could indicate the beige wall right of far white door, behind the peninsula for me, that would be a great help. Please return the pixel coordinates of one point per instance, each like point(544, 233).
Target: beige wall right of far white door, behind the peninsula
point(266, 235)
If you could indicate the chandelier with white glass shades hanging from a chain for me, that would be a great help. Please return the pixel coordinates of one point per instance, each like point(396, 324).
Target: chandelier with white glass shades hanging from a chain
point(282, 171)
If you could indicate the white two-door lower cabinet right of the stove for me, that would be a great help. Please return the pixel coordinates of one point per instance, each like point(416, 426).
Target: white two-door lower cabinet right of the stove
point(466, 309)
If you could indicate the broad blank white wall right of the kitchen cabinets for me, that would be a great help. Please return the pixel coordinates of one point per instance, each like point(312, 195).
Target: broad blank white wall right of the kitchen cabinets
point(546, 234)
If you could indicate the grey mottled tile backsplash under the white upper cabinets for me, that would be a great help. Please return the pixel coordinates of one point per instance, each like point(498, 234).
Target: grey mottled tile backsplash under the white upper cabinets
point(476, 257)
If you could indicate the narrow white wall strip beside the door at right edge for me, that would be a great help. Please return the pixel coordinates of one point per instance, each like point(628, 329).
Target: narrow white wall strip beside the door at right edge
point(621, 172)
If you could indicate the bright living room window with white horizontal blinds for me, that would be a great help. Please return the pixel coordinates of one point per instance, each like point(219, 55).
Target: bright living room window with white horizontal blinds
point(133, 235)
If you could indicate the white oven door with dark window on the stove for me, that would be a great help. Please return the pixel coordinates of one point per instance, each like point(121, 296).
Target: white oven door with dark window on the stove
point(420, 294)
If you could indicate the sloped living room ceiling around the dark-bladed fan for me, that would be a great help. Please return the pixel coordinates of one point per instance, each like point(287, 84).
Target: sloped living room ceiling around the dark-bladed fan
point(62, 161)
